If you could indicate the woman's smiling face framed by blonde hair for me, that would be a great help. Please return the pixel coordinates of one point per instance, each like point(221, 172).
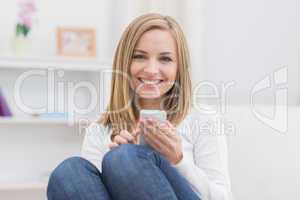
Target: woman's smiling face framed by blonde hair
point(154, 66)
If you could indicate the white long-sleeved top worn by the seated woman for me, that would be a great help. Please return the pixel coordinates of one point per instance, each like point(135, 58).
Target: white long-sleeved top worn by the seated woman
point(204, 162)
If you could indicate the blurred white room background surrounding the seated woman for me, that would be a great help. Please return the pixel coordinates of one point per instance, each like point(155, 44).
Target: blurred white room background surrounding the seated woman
point(55, 61)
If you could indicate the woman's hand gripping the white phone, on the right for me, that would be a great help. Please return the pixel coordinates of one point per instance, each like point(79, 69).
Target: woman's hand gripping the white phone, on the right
point(163, 138)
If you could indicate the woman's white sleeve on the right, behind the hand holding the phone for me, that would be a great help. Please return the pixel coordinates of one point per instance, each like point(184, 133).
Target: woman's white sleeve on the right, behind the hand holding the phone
point(207, 169)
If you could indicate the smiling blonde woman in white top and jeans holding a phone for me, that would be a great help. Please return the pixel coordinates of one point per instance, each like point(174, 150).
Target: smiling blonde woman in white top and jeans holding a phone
point(179, 161)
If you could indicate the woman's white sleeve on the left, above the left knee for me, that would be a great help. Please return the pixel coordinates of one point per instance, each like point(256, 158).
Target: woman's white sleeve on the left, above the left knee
point(95, 144)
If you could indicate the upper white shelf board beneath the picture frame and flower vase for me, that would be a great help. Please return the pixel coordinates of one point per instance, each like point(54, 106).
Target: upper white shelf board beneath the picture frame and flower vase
point(54, 63)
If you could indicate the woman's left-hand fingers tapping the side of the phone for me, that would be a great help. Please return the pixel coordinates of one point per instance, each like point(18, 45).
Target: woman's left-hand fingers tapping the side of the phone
point(123, 138)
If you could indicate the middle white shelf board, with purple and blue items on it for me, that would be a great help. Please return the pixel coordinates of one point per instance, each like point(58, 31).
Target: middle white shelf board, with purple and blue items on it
point(33, 121)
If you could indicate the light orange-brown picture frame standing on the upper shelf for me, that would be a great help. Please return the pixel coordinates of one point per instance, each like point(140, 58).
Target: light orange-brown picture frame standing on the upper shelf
point(76, 42)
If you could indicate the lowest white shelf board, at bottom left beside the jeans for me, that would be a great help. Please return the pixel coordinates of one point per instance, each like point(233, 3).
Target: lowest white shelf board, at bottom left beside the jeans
point(23, 186)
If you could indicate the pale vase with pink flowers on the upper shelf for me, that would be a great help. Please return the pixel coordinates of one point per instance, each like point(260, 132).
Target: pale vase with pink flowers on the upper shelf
point(22, 41)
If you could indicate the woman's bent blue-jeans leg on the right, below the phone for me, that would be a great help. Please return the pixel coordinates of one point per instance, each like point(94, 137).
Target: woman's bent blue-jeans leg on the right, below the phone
point(130, 172)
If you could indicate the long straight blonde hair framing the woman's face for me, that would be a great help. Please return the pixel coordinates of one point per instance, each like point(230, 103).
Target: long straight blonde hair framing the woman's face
point(122, 112)
